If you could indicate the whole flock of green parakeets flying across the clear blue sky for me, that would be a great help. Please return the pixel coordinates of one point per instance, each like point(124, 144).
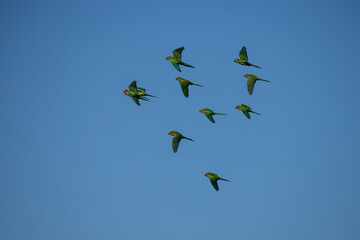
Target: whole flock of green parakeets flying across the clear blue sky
point(137, 93)
